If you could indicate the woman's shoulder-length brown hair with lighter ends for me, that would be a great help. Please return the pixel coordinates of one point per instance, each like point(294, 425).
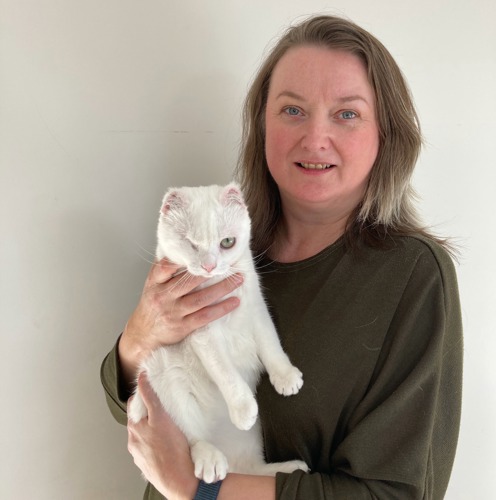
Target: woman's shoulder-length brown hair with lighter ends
point(387, 207)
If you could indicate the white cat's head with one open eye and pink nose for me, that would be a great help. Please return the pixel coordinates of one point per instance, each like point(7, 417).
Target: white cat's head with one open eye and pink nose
point(204, 229)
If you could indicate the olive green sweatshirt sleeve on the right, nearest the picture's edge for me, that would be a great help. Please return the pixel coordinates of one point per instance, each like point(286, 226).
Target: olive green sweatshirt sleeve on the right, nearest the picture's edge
point(401, 439)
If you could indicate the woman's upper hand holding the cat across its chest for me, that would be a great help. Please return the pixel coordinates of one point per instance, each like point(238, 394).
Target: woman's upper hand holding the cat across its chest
point(170, 309)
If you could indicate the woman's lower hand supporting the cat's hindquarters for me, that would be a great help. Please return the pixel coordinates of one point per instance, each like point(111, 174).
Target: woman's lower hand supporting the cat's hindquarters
point(160, 449)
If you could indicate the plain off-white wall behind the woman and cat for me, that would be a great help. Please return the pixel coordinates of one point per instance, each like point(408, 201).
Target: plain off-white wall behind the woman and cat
point(103, 104)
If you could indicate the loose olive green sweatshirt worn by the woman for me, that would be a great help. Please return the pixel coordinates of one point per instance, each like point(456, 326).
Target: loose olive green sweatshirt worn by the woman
point(378, 337)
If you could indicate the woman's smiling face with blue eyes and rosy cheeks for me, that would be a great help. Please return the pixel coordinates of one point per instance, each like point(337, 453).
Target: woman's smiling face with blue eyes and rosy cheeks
point(322, 136)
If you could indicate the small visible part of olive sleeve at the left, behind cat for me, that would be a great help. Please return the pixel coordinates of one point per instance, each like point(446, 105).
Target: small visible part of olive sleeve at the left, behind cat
point(111, 381)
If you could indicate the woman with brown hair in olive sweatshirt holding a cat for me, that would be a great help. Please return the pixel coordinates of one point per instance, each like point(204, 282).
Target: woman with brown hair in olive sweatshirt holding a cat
point(364, 299)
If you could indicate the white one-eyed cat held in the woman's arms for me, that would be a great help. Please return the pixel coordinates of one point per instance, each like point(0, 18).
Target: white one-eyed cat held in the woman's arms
point(207, 381)
